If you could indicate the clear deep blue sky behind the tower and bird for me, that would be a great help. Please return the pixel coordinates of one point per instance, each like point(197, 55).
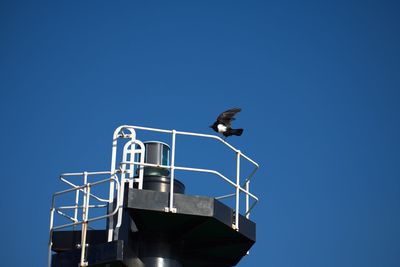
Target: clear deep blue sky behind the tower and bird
point(318, 82)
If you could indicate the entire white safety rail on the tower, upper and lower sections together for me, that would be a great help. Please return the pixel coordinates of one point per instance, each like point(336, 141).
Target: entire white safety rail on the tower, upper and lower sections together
point(131, 164)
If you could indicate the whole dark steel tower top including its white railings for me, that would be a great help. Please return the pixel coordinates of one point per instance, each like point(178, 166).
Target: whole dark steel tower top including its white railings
point(158, 227)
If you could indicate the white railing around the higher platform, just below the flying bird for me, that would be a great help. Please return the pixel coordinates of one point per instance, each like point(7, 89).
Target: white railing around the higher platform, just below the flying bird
point(119, 133)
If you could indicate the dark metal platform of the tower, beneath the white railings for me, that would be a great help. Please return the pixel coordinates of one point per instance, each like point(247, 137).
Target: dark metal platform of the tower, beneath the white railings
point(201, 231)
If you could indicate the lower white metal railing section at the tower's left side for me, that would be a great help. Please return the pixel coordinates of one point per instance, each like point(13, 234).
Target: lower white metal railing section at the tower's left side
point(85, 188)
